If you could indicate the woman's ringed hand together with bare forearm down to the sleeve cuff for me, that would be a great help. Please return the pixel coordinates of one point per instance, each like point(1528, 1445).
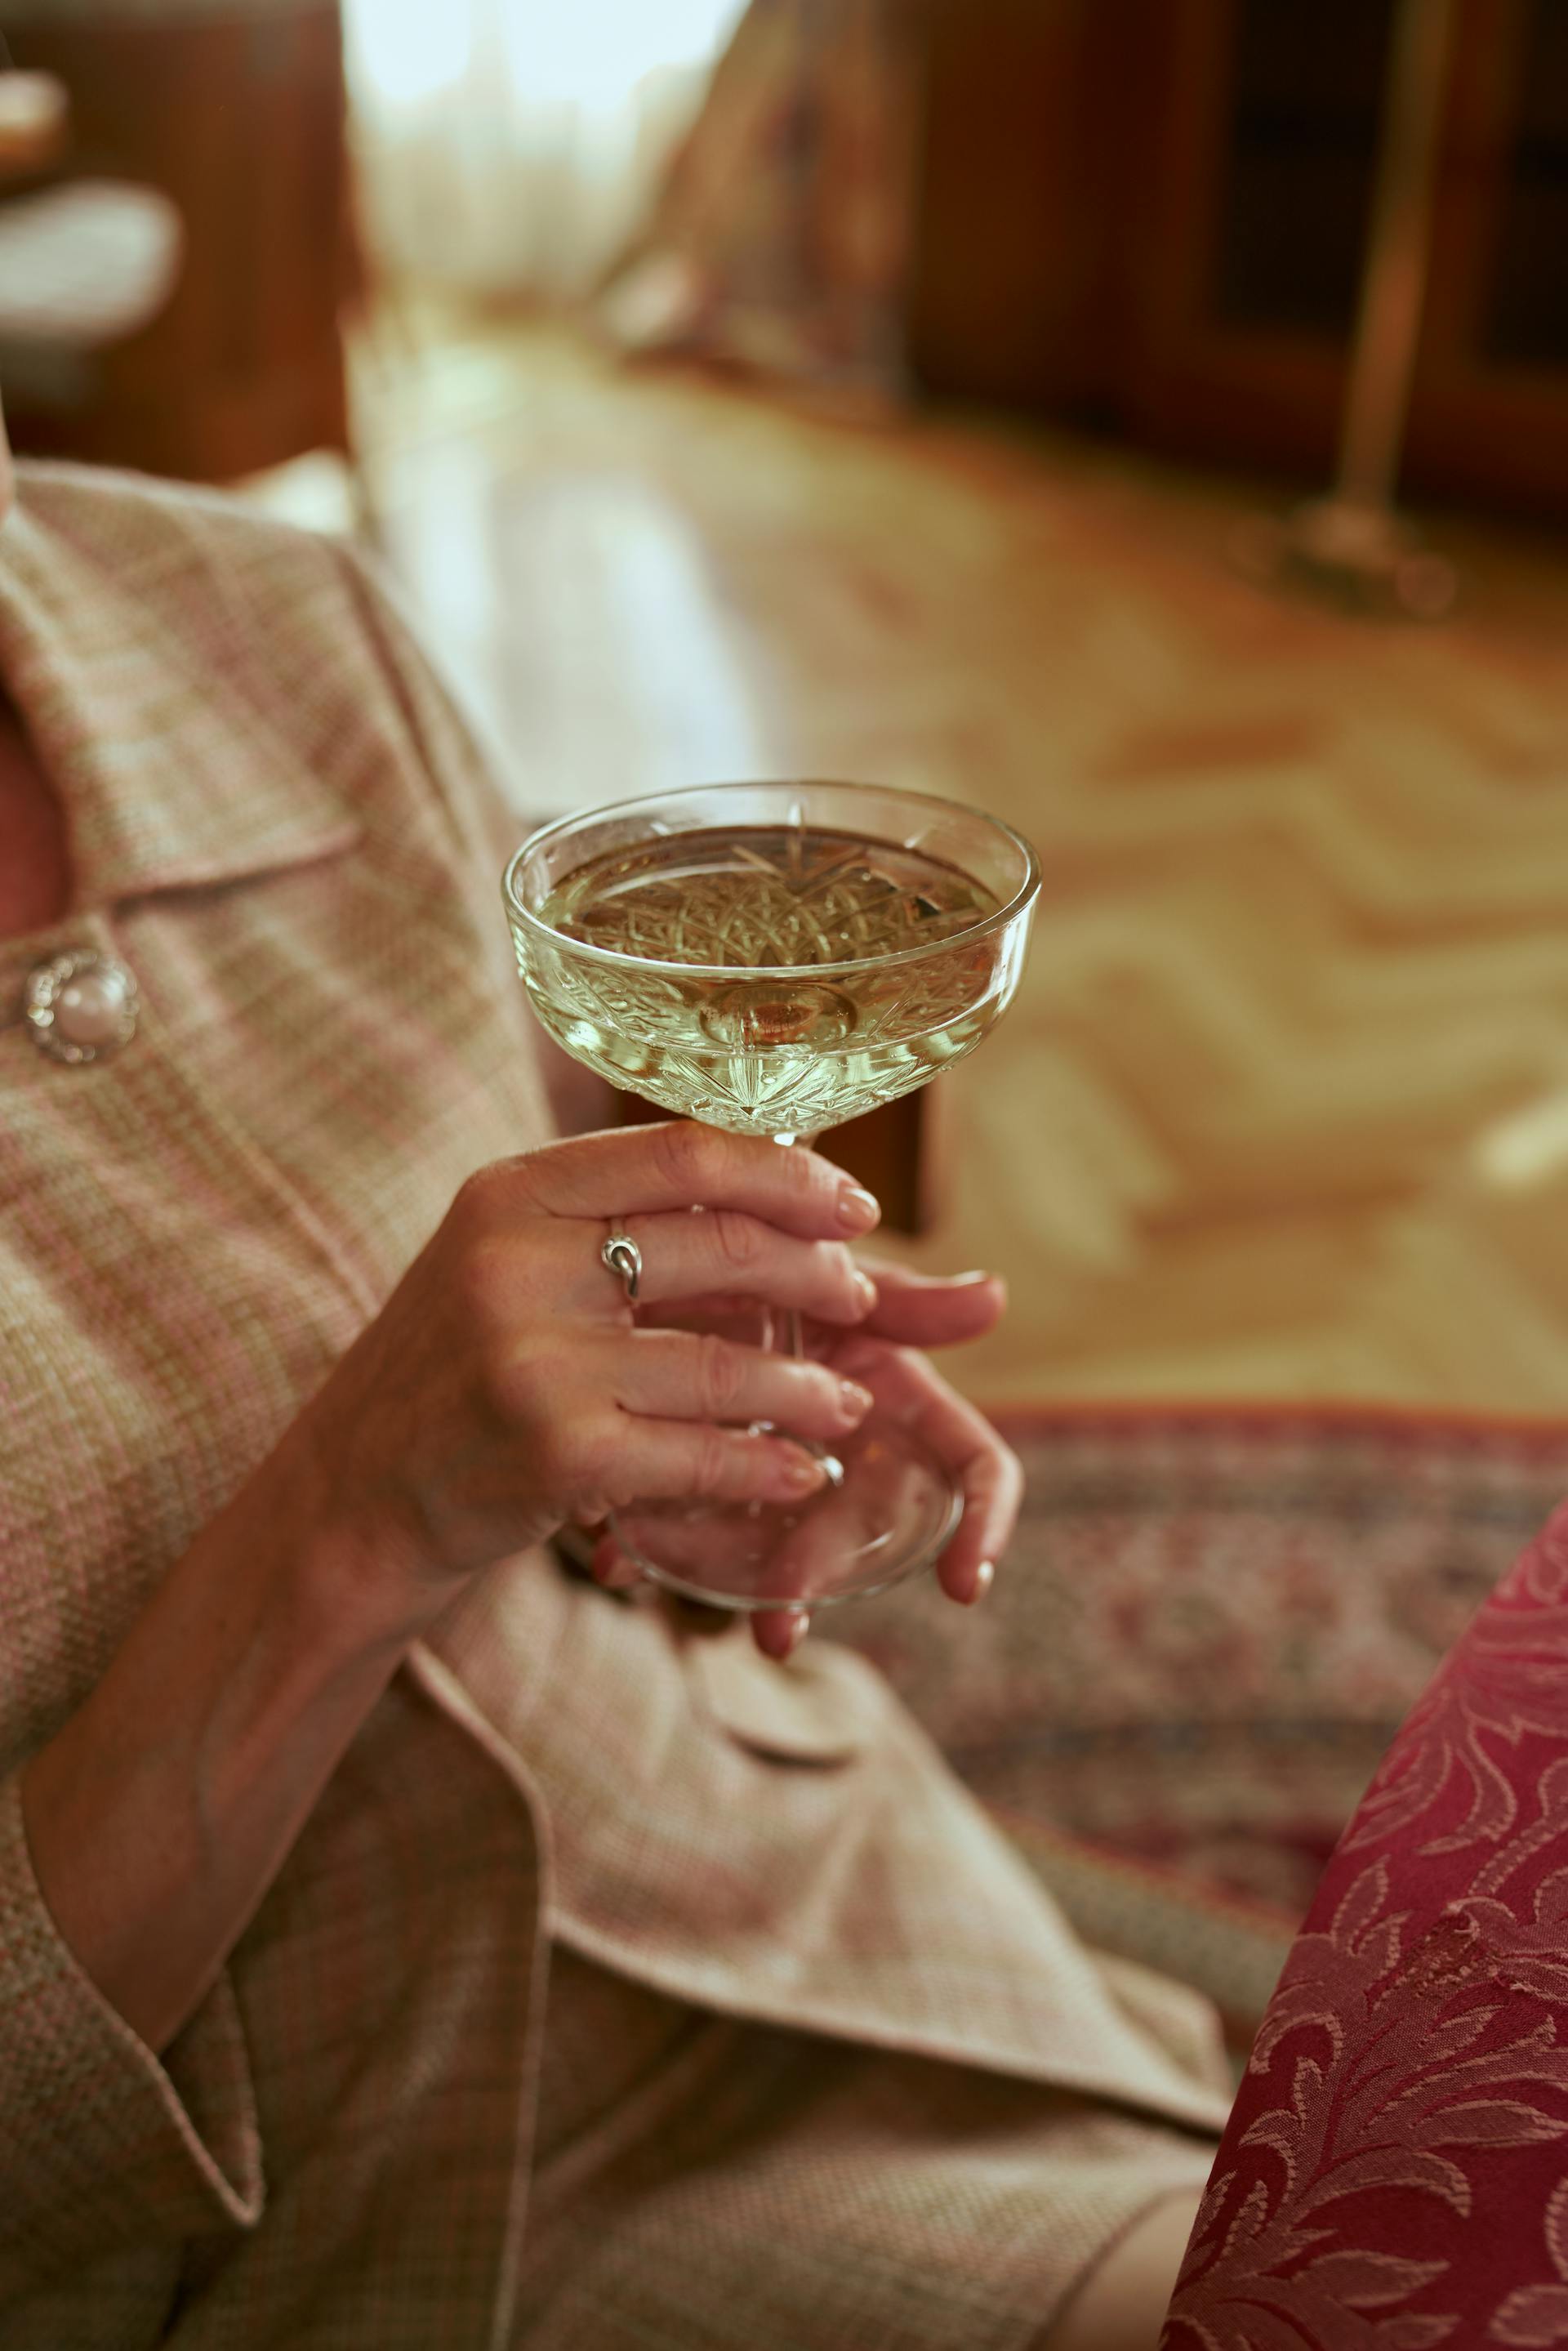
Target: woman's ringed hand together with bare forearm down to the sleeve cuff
point(502, 1388)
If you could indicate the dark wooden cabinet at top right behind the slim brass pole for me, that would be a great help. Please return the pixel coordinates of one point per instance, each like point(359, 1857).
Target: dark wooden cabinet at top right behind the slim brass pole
point(1167, 206)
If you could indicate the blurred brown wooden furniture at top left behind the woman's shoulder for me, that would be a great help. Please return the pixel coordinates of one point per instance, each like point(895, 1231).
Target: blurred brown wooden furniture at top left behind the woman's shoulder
point(239, 119)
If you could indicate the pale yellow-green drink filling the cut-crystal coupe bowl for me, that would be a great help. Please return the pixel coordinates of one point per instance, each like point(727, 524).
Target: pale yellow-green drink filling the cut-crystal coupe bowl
point(768, 1054)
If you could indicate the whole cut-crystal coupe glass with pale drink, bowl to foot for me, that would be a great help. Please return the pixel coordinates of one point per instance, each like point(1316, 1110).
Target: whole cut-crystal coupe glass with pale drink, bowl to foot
point(777, 958)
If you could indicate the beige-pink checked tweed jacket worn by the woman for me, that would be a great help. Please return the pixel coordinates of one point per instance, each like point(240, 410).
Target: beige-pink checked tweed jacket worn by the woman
point(283, 829)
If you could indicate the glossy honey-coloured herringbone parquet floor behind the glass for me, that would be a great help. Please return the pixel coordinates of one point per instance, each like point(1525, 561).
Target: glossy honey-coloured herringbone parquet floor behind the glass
point(1285, 1104)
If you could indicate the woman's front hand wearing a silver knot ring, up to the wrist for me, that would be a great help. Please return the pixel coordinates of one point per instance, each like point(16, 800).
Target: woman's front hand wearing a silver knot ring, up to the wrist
point(507, 1386)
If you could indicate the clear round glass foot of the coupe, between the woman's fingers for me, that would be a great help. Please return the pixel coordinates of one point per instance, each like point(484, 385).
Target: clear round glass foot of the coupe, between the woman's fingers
point(892, 1513)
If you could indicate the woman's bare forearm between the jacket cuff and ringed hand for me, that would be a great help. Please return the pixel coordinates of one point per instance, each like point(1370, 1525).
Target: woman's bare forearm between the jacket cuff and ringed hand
point(161, 1814)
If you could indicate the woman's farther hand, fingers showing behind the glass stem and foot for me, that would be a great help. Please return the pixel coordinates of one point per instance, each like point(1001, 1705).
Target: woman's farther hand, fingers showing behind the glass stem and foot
point(883, 1353)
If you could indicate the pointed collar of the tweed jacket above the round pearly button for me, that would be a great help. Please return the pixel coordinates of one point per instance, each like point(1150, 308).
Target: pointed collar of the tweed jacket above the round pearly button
point(173, 777)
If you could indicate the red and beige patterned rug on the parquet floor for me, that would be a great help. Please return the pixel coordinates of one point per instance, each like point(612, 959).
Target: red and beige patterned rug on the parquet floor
point(1200, 1647)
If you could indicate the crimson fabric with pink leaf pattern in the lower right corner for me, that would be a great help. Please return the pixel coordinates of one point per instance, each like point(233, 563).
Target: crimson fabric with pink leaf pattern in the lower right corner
point(1395, 2171)
